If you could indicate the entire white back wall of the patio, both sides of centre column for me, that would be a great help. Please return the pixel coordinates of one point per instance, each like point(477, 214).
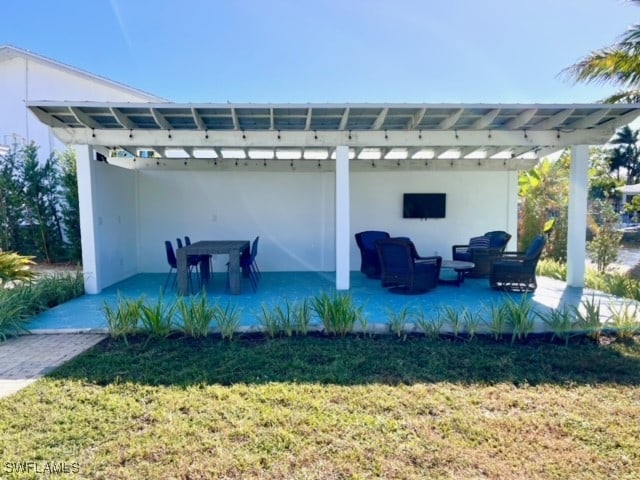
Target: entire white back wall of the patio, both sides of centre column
point(294, 212)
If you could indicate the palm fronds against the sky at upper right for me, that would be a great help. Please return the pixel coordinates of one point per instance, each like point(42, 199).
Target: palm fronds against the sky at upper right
point(618, 64)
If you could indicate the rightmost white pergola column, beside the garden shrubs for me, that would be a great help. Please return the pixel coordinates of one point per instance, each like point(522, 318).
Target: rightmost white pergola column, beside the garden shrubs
point(577, 236)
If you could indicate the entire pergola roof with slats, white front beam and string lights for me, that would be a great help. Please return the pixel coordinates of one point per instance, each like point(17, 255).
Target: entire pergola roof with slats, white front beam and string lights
point(508, 129)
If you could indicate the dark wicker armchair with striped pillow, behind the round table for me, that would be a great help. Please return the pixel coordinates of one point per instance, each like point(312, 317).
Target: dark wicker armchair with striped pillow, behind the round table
point(482, 251)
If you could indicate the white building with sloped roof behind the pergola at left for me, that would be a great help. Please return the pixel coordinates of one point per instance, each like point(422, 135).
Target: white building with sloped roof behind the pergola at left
point(25, 76)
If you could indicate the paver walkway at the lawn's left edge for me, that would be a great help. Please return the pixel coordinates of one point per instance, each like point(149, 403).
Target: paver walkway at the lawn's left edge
point(25, 359)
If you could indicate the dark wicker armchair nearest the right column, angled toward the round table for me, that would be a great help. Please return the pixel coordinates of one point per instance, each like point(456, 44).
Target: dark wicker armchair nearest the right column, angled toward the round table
point(516, 271)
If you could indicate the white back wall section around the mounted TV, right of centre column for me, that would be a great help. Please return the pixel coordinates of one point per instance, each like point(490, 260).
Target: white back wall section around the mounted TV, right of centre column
point(477, 202)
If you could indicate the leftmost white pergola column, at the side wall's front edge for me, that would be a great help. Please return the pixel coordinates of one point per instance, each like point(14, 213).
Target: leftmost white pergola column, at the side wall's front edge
point(86, 176)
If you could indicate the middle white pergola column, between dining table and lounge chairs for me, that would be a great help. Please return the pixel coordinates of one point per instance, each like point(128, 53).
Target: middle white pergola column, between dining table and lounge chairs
point(343, 218)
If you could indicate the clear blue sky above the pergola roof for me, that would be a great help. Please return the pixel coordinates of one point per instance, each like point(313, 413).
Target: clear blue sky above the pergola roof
point(503, 51)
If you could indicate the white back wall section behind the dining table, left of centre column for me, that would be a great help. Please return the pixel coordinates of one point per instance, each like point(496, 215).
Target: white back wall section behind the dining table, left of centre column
point(293, 213)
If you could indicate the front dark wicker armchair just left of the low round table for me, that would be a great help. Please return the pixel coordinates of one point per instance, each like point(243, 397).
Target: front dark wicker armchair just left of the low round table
point(401, 271)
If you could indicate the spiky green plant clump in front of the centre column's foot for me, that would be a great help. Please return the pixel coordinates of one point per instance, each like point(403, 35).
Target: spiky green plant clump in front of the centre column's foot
point(337, 313)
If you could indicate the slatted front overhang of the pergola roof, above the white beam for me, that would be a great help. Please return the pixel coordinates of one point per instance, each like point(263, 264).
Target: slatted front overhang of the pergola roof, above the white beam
point(332, 117)
